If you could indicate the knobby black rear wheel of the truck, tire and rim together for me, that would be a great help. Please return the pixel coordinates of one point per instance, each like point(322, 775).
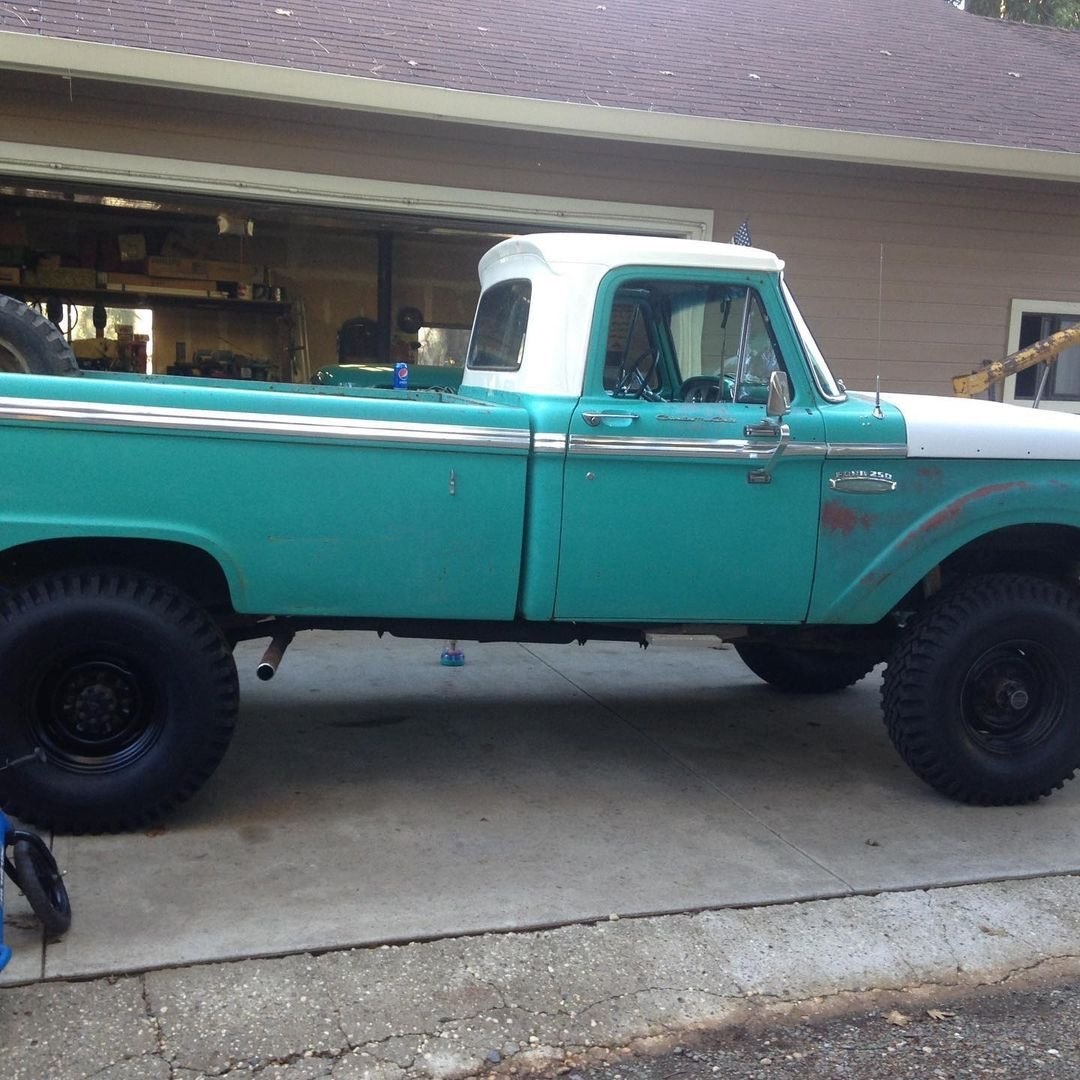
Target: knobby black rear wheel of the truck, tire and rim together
point(127, 686)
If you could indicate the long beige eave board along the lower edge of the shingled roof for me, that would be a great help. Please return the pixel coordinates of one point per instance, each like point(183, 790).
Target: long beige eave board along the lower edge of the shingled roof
point(69, 59)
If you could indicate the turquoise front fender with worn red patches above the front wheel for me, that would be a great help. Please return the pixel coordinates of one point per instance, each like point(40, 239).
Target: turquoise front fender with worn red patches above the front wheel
point(874, 549)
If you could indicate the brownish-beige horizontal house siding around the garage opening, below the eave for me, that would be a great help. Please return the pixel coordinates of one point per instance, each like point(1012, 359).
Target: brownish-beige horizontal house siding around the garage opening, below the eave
point(904, 274)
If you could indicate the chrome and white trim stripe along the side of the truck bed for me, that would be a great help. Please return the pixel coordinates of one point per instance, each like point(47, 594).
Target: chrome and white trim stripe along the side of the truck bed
point(262, 424)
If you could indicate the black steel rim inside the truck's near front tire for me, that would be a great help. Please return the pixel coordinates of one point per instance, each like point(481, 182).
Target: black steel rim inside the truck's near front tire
point(1014, 698)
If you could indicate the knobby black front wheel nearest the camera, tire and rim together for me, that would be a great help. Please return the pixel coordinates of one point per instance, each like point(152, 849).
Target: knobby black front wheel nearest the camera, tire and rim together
point(982, 699)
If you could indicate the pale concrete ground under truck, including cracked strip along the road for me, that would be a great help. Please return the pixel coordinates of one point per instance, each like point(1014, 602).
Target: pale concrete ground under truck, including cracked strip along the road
point(550, 858)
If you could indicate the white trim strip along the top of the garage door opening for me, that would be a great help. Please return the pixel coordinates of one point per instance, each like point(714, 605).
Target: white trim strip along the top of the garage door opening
point(171, 174)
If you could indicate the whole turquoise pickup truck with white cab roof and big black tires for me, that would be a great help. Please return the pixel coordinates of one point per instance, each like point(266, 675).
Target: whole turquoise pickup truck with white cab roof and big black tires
point(646, 440)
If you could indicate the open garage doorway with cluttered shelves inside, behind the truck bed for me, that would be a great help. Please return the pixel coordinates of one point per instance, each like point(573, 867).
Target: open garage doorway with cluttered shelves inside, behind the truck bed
point(295, 274)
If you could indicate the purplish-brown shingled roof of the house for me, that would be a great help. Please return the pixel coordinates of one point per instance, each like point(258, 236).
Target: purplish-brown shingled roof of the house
point(922, 69)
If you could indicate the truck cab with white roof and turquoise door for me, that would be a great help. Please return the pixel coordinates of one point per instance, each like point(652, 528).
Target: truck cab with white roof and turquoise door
point(646, 366)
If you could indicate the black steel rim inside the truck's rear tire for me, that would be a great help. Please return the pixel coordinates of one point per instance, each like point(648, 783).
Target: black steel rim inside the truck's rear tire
point(94, 714)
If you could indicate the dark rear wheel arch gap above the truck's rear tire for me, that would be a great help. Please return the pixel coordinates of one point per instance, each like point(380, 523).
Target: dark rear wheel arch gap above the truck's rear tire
point(192, 570)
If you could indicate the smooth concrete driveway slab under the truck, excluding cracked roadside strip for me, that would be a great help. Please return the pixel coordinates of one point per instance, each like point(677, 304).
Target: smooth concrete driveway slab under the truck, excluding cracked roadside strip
point(374, 796)
